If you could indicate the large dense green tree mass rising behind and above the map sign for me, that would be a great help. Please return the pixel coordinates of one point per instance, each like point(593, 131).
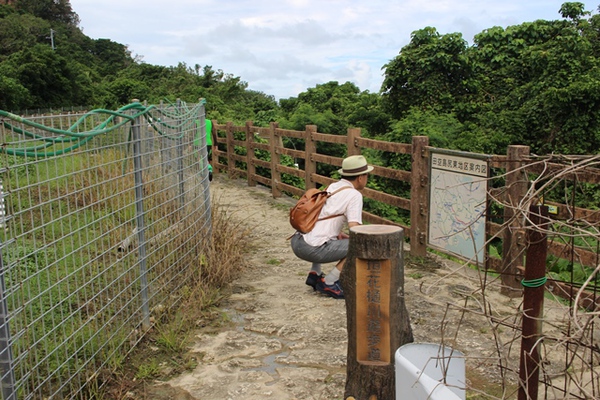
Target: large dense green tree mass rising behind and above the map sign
point(533, 83)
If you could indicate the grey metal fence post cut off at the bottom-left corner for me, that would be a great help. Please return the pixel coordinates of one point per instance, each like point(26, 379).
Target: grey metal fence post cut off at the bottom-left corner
point(6, 359)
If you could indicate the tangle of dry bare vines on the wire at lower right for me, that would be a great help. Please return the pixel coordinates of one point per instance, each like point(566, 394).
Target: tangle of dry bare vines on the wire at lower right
point(568, 346)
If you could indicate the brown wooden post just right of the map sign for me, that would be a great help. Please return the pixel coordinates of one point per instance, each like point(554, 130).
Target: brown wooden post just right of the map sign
point(513, 241)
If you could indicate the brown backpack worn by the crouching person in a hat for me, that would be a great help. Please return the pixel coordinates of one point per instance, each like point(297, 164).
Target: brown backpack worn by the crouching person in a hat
point(305, 214)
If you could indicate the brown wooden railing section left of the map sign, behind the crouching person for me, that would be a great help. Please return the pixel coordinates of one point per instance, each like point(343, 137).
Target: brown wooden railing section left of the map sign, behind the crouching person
point(224, 135)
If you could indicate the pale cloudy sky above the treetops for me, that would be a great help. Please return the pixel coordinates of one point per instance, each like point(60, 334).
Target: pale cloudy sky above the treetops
point(284, 47)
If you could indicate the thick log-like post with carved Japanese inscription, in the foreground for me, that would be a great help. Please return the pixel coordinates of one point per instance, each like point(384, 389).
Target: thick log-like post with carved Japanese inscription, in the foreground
point(377, 320)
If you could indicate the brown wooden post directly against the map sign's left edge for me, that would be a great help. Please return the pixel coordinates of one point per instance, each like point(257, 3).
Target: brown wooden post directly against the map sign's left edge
point(419, 186)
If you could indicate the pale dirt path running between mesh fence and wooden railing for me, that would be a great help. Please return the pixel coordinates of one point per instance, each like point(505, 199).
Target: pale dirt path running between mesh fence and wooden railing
point(288, 342)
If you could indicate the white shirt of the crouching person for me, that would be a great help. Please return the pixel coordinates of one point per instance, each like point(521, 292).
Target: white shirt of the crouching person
point(347, 202)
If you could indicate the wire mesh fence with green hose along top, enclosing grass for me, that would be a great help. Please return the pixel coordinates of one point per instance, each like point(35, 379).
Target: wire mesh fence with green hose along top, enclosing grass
point(104, 215)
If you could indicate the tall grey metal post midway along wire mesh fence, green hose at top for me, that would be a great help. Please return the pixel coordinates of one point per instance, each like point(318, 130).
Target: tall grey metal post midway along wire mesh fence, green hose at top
point(139, 218)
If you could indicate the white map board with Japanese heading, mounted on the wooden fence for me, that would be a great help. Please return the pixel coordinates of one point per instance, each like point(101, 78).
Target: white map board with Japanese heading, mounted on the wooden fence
point(457, 204)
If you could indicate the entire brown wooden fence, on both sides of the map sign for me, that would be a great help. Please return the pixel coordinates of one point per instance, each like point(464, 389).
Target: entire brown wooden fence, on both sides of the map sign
point(516, 168)
